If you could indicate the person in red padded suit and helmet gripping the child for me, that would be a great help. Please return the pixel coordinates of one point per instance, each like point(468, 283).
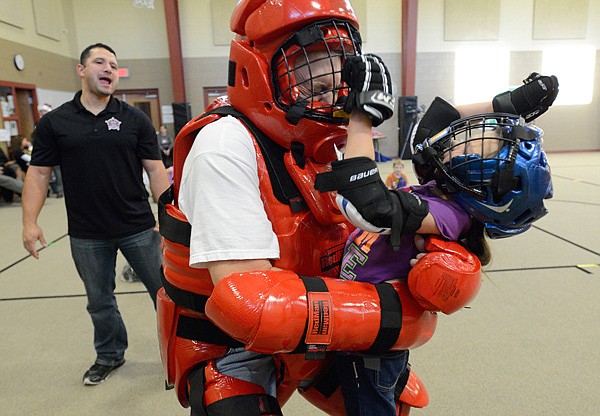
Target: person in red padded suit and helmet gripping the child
point(243, 206)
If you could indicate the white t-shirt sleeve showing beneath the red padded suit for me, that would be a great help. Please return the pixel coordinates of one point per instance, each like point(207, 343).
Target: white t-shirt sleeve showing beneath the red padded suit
point(220, 197)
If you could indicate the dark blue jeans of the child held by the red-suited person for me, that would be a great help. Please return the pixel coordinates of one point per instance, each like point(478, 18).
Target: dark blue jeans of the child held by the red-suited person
point(368, 381)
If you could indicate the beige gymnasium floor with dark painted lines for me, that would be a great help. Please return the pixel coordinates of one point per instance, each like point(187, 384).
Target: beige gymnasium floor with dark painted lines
point(528, 345)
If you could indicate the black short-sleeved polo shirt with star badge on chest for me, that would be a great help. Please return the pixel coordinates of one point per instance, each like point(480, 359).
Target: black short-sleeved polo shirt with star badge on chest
point(101, 163)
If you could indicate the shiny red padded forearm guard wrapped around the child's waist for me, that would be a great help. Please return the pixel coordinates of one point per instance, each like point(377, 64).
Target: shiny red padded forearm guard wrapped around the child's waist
point(268, 311)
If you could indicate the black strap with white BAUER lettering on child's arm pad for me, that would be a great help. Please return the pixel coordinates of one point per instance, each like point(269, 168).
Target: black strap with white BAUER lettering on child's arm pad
point(348, 174)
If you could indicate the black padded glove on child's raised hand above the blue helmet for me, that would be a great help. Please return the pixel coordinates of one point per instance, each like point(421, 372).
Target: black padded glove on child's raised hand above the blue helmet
point(530, 100)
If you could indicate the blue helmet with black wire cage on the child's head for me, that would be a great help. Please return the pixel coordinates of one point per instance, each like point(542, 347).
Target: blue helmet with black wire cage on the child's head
point(494, 166)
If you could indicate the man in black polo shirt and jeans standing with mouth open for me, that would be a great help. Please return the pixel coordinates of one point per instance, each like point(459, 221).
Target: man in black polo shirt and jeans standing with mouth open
point(102, 146)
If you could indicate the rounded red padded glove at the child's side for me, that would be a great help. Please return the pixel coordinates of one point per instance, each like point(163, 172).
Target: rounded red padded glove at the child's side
point(447, 278)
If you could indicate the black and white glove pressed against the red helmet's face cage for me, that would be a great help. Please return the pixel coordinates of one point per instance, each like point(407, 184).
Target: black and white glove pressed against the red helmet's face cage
point(370, 87)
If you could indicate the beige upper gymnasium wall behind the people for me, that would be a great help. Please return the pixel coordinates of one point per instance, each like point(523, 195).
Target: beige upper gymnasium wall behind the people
point(139, 37)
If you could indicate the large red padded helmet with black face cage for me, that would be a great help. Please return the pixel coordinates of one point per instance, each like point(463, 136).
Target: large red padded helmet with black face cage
point(285, 70)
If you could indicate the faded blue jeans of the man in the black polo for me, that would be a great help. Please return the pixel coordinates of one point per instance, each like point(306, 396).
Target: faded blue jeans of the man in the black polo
point(95, 261)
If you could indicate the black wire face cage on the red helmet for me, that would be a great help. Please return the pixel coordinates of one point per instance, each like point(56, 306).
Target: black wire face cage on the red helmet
point(327, 43)
